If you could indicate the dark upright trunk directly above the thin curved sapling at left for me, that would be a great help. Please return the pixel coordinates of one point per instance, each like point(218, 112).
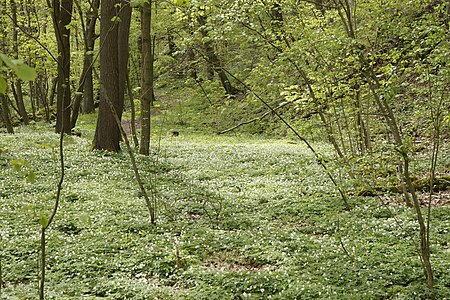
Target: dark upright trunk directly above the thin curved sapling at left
point(62, 16)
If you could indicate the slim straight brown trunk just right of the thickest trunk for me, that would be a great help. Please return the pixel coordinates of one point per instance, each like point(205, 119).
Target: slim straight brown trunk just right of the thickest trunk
point(147, 78)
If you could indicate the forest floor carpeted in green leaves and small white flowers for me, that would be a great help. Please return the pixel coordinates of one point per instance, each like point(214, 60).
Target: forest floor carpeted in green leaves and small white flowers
point(238, 217)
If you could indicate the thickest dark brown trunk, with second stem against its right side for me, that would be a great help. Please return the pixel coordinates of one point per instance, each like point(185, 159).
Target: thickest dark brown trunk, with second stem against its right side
point(113, 62)
